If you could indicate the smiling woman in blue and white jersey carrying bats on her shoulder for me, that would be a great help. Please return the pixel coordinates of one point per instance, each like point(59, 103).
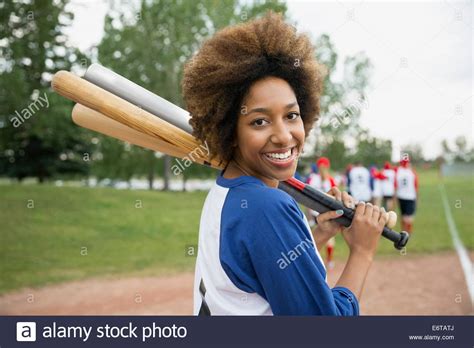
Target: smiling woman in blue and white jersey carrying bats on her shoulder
point(253, 94)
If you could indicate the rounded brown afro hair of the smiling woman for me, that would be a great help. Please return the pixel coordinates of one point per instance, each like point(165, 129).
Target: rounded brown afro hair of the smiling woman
point(218, 76)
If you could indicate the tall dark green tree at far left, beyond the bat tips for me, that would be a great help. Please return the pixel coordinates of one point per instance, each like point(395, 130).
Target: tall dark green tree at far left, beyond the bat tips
point(37, 137)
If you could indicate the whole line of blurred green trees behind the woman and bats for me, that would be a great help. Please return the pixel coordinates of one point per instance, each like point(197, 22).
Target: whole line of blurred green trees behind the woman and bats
point(148, 43)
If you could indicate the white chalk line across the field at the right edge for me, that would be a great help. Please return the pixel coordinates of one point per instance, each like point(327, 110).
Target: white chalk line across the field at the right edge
point(466, 263)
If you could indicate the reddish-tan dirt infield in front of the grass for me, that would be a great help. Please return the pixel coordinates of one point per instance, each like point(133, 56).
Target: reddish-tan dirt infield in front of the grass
point(403, 285)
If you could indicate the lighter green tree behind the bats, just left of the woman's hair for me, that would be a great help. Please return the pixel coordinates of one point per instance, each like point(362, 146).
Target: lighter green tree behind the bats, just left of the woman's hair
point(149, 44)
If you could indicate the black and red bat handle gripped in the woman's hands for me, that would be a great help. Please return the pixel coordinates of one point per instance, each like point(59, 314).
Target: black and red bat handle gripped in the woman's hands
point(321, 203)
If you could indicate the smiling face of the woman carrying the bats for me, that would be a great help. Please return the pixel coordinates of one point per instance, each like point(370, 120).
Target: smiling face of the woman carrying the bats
point(270, 131)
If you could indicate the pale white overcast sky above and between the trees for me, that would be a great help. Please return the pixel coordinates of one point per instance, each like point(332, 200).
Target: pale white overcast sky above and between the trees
point(422, 87)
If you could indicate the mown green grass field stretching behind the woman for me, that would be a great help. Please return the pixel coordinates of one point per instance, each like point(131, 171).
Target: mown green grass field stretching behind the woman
point(54, 234)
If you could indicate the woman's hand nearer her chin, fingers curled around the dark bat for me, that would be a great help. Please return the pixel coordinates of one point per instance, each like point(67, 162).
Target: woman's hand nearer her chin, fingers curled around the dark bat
point(326, 227)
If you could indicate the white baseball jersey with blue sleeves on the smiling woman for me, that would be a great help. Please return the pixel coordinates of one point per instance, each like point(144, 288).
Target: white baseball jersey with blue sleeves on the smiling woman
point(257, 256)
